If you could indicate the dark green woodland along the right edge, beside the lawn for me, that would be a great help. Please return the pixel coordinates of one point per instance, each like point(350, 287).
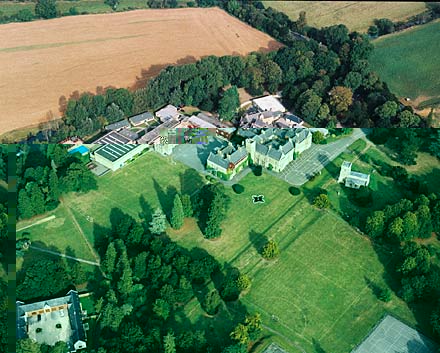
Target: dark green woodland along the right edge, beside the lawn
point(401, 227)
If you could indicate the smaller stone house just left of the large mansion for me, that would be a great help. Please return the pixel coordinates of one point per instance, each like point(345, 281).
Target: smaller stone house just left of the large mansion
point(226, 162)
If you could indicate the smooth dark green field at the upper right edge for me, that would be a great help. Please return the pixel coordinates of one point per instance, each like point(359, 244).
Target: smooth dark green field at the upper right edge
point(408, 61)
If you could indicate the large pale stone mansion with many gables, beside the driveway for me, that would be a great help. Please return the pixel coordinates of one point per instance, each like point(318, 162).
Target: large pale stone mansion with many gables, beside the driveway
point(276, 148)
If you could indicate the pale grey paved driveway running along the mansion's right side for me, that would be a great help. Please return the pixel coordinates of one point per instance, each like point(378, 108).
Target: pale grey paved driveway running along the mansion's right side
point(316, 158)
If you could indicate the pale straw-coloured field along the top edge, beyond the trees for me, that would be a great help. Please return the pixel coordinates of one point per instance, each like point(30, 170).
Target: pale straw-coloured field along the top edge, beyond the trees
point(356, 15)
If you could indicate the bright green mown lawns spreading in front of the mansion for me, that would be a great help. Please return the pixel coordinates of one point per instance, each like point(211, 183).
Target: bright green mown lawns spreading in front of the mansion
point(317, 289)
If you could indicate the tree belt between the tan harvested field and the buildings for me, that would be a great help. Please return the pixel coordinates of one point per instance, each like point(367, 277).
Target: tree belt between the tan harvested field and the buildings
point(324, 75)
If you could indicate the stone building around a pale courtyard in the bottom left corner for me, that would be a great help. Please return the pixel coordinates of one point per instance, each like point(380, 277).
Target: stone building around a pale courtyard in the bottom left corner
point(53, 320)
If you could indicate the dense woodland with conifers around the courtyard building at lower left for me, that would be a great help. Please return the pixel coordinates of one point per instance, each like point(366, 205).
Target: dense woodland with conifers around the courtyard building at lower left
point(147, 279)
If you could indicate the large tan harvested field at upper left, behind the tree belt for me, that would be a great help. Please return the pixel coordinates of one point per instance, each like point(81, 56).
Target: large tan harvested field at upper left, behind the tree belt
point(43, 60)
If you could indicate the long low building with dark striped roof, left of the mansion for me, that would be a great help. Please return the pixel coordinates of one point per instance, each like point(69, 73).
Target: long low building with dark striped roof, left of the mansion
point(115, 156)
